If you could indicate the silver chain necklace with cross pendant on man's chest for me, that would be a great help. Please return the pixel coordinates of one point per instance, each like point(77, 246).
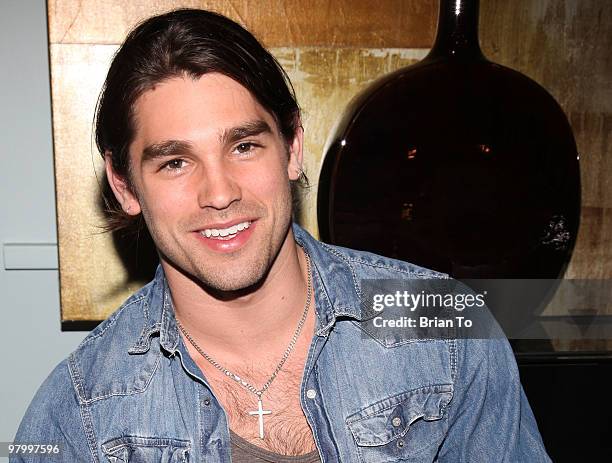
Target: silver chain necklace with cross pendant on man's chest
point(260, 412)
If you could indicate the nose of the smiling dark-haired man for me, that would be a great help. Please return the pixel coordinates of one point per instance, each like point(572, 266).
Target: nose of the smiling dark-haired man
point(218, 189)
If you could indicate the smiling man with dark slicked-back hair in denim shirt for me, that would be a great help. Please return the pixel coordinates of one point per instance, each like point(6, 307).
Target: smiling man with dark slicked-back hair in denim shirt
point(249, 343)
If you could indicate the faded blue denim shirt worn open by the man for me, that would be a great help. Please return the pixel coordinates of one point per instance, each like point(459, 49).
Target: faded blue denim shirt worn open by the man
point(130, 391)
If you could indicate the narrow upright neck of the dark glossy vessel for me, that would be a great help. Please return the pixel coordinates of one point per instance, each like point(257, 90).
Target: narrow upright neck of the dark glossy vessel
point(457, 35)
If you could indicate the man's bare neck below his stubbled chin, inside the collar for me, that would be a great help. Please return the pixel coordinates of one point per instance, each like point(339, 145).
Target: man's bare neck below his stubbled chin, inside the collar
point(230, 328)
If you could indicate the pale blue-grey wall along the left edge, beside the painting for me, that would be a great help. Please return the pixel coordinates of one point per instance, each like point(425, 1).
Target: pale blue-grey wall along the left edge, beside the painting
point(30, 333)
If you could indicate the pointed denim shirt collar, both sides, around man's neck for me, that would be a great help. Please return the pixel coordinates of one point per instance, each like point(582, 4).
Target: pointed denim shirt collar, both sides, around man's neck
point(334, 283)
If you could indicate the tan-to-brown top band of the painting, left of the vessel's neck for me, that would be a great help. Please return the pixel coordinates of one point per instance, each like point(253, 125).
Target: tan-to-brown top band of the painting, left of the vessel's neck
point(297, 23)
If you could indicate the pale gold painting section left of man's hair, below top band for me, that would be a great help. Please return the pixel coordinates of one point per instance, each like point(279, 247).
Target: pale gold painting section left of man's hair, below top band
point(91, 273)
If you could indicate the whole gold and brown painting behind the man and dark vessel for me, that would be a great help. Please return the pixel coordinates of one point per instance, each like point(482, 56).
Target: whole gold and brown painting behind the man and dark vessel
point(331, 49)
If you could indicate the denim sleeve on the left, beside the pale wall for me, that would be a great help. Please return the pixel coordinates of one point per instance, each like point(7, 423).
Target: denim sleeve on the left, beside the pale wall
point(53, 417)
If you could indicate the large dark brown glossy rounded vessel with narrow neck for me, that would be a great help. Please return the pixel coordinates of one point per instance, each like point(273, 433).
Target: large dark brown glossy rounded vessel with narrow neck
point(457, 164)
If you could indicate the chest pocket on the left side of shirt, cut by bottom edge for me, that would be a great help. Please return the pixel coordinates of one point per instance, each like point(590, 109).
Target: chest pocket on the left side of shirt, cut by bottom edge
point(136, 449)
